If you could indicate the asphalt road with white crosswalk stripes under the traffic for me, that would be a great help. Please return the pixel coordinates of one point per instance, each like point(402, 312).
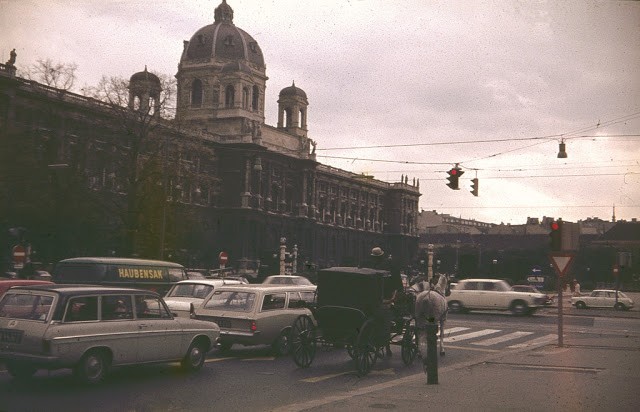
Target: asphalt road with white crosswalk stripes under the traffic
point(252, 379)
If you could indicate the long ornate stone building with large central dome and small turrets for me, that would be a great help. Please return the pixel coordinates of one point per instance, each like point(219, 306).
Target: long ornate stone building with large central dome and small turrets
point(217, 178)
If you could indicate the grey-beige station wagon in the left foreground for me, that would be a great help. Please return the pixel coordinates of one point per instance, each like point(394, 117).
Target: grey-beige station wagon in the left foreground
point(92, 328)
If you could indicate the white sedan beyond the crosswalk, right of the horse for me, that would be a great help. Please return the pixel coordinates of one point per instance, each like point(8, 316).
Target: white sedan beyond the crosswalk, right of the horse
point(493, 294)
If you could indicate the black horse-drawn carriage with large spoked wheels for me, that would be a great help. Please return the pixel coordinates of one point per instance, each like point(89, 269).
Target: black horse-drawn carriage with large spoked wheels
point(352, 311)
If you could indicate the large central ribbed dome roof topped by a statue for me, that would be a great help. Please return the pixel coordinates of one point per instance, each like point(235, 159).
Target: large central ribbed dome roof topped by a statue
point(223, 40)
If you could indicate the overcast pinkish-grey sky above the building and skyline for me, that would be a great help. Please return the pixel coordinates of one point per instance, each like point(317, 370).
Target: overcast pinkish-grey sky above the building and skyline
point(409, 87)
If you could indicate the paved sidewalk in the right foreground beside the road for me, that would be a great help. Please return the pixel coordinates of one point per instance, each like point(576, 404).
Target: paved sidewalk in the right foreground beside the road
point(591, 372)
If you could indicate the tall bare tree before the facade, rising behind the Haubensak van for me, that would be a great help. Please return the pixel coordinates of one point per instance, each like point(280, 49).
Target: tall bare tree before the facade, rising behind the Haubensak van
point(146, 157)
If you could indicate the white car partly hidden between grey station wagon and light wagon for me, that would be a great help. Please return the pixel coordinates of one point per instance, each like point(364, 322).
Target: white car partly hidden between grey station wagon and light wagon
point(184, 293)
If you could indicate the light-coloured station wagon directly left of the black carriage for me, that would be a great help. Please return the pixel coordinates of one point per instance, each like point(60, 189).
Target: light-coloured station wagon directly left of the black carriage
point(256, 314)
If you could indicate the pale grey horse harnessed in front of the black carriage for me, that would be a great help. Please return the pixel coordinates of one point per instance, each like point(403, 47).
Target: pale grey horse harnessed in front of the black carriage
point(431, 306)
